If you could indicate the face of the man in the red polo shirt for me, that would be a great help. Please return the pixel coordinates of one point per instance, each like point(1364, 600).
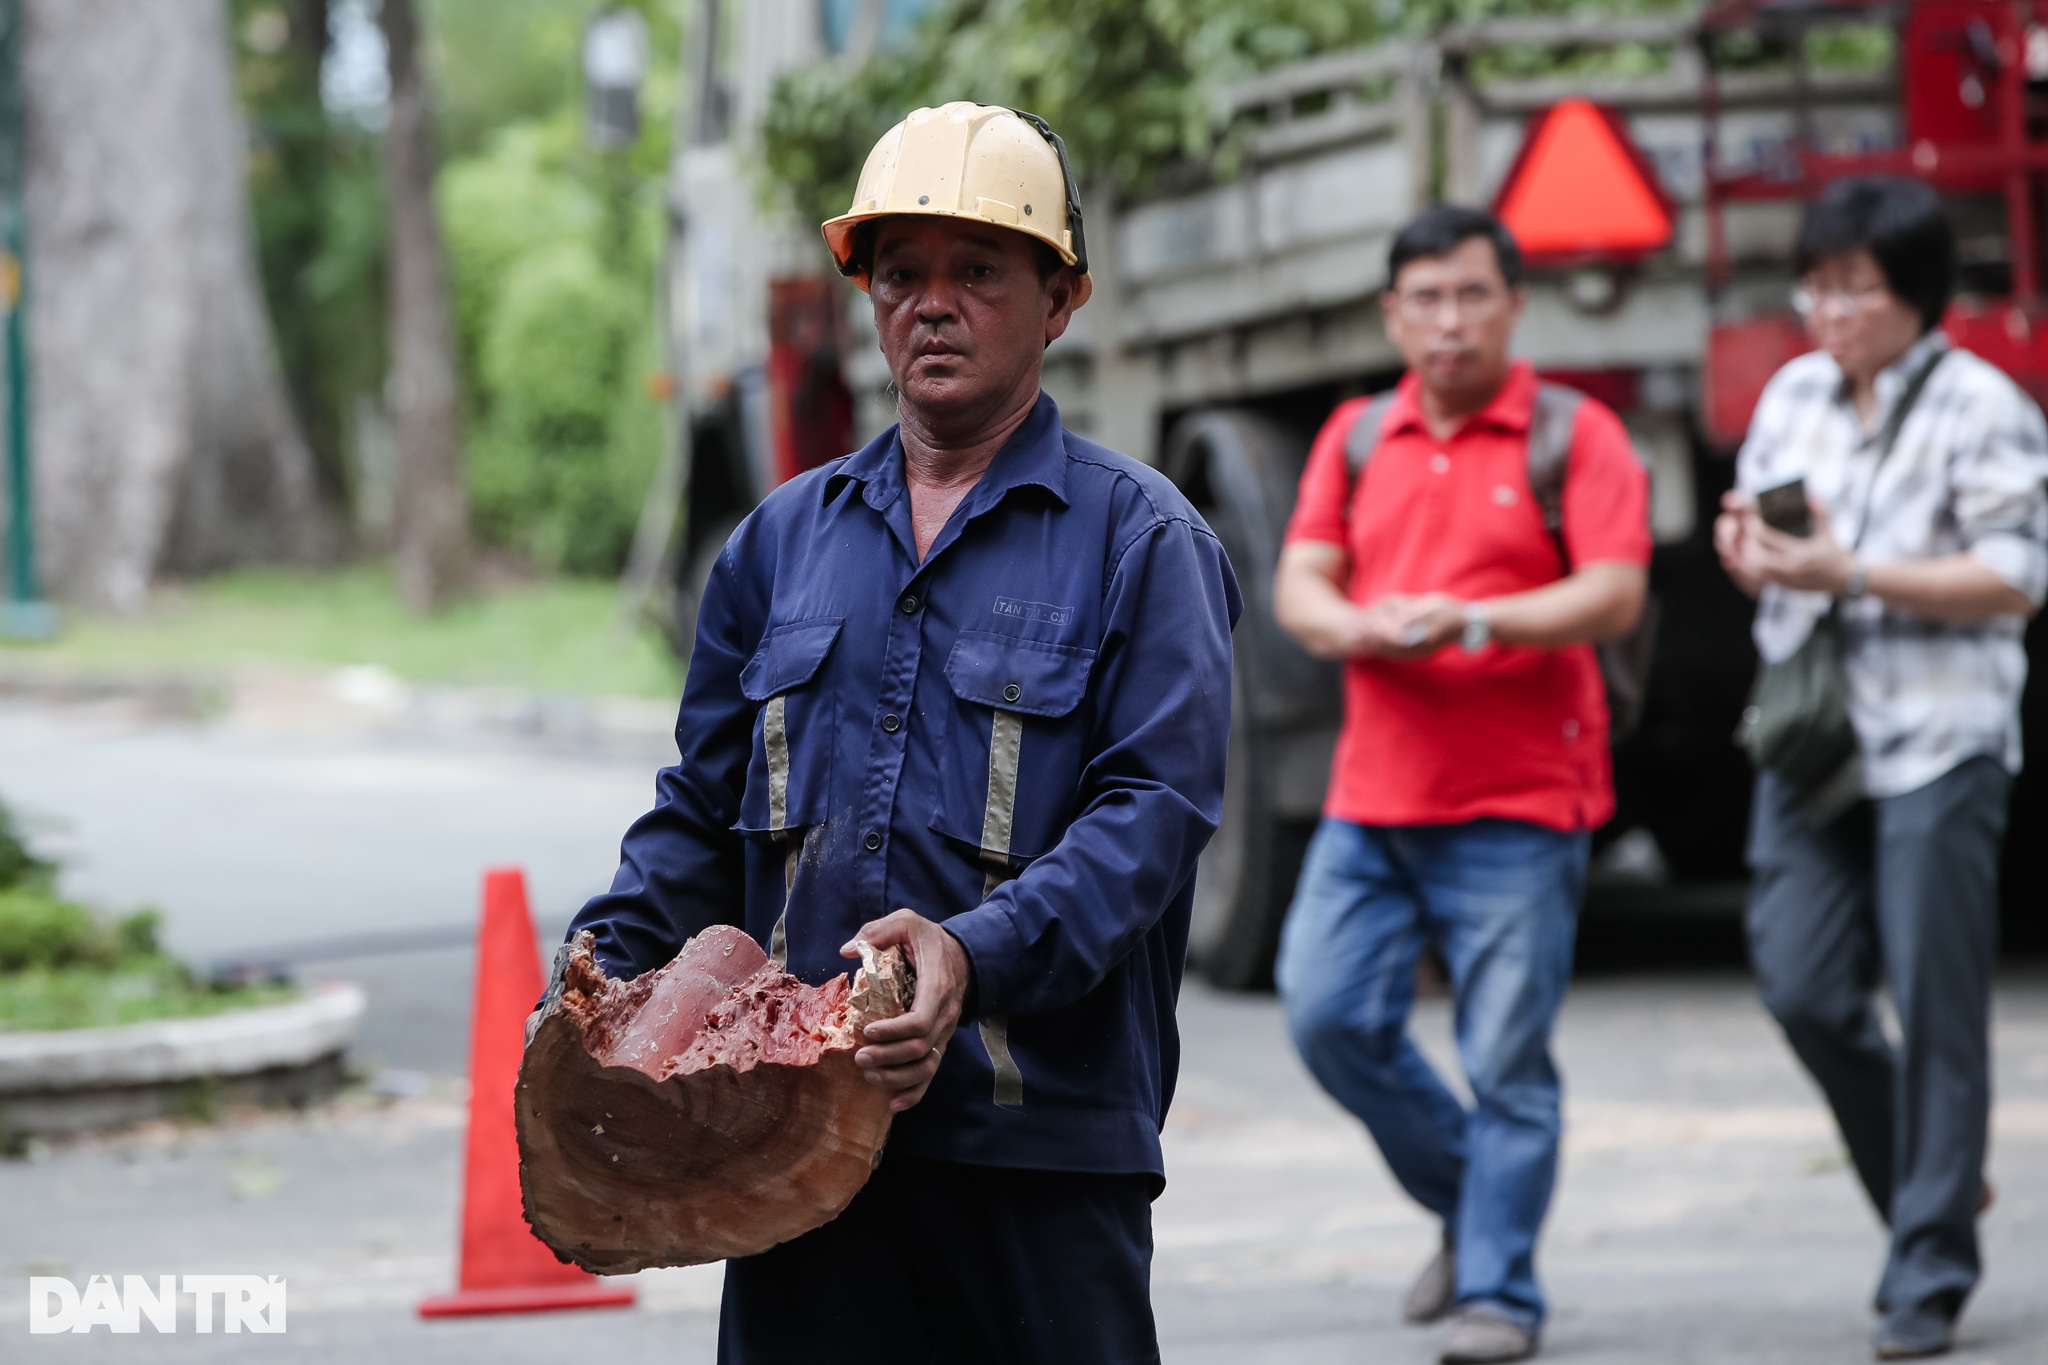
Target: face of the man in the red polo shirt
point(1453, 318)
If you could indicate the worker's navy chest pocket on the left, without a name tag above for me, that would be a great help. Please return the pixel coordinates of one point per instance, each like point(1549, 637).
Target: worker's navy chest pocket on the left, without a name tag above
point(790, 773)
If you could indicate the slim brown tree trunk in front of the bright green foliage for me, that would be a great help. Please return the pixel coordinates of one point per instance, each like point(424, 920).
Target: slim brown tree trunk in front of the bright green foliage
point(433, 507)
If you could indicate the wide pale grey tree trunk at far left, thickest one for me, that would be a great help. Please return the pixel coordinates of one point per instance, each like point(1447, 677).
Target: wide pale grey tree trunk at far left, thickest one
point(165, 439)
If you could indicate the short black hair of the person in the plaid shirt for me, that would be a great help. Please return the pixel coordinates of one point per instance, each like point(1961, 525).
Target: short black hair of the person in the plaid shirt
point(1902, 224)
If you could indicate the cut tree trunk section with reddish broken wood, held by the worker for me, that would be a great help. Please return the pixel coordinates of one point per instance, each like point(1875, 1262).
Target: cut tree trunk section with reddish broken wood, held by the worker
point(706, 1110)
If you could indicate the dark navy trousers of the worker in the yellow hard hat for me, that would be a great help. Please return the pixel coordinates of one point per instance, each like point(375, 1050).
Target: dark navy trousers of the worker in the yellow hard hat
point(941, 1264)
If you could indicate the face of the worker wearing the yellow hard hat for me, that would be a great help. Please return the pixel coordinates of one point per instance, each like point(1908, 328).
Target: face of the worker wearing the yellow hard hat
point(964, 316)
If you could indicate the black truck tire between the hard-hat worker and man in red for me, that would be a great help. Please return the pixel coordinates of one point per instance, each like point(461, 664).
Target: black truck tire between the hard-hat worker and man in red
point(1240, 470)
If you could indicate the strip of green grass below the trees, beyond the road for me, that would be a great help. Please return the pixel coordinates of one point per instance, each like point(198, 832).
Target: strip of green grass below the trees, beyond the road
point(552, 635)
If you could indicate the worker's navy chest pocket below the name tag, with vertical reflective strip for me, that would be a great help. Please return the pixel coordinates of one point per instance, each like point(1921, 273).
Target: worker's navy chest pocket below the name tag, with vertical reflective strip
point(1015, 746)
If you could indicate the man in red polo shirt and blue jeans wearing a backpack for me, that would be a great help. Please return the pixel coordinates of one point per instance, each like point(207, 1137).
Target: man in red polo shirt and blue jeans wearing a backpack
point(1474, 760)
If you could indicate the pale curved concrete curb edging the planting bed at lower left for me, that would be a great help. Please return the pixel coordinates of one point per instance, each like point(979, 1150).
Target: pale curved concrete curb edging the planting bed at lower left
point(165, 1051)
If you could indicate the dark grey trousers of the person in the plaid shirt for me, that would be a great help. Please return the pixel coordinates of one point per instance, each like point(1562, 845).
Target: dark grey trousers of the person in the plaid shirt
point(1908, 885)
